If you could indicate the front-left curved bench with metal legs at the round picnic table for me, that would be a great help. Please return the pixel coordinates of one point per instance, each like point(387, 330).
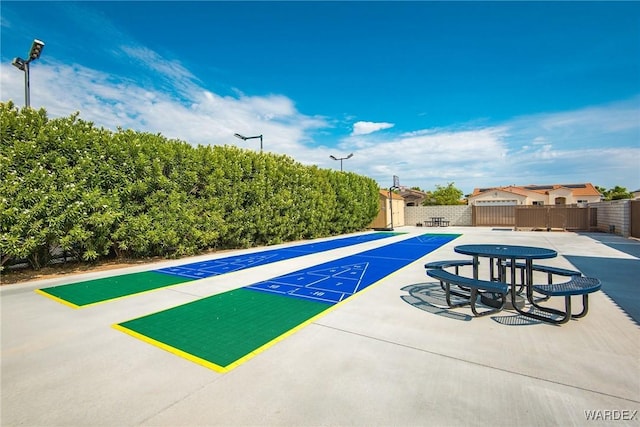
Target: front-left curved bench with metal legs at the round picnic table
point(474, 285)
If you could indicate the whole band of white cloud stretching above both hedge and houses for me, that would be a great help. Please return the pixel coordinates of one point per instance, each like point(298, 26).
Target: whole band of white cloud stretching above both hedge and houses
point(596, 144)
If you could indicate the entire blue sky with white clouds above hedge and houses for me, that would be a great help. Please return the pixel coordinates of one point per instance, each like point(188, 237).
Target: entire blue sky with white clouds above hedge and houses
point(479, 94)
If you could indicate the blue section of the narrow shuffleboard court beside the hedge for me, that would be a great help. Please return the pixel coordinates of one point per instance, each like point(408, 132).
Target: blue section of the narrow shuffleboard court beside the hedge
point(203, 269)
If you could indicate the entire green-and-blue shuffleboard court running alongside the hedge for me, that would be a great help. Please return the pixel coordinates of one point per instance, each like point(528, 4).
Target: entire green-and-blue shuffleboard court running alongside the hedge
point(90, 292)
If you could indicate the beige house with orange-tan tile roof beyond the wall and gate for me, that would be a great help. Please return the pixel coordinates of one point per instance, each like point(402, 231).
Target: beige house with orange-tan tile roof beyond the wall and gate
point(555, 194)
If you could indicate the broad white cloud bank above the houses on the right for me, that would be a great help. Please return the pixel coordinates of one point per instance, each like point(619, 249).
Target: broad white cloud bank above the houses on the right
point(596, 144)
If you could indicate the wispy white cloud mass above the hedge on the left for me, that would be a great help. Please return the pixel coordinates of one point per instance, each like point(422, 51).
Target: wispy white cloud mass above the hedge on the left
point(194, 115)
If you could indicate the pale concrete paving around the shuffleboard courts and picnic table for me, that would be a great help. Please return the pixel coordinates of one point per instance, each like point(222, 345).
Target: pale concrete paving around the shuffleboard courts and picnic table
point(388, 356)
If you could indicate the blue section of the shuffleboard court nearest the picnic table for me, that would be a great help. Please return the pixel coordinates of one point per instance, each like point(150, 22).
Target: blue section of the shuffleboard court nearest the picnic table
point(337, 280)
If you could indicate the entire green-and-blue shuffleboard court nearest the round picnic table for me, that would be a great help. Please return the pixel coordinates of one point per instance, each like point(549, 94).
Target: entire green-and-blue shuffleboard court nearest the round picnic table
point(224, 330)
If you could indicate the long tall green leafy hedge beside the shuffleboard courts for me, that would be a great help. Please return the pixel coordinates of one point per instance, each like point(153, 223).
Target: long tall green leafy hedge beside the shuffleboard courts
point(69, 187)
